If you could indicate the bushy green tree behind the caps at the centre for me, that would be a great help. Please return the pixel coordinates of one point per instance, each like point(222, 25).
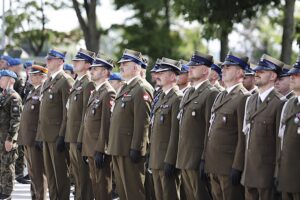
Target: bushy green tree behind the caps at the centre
point(150, 28)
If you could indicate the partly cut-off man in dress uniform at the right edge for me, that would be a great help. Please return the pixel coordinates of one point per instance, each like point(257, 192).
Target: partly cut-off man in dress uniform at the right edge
point(289, 133)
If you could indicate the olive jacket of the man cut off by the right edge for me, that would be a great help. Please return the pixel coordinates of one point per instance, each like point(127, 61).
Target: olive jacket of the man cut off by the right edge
point(289, 163)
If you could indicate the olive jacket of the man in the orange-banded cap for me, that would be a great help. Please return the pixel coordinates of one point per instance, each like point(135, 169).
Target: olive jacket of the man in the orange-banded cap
point(29, 118)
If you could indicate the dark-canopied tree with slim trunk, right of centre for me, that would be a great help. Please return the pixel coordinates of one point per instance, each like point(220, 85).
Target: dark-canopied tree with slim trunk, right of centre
point(220, 14)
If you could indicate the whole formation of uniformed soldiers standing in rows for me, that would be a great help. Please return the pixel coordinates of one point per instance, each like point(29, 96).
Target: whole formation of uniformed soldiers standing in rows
point(203, 130)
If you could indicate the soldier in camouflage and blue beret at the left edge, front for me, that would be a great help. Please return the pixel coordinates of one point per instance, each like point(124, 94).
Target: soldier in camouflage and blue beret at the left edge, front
point(10, 111)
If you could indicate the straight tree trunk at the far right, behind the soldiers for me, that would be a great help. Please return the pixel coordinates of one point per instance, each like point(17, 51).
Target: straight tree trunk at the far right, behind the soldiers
point(288, 31)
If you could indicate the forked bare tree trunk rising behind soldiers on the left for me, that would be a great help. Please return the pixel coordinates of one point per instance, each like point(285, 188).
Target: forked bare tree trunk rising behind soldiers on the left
point(89, 25)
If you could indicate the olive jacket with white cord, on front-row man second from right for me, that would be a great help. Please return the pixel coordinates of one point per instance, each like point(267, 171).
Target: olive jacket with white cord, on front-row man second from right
point(260, 155)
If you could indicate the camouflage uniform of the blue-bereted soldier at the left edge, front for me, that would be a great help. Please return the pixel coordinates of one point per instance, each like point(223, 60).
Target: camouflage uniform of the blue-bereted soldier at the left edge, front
point(10, 110)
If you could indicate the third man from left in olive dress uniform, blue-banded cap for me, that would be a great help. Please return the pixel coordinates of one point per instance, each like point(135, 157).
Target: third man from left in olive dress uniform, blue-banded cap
point(76, 106)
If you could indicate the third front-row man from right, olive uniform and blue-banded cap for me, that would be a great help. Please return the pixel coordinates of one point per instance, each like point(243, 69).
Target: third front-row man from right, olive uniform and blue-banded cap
point(225, 140)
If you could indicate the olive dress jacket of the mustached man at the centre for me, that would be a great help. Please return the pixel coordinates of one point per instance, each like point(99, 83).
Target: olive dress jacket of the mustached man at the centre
point(164, 135)
